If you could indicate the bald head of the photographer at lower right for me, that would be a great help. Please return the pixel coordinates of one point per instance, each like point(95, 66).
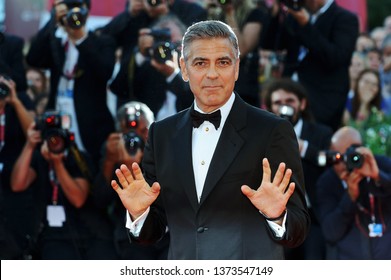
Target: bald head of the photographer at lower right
point(344, 137)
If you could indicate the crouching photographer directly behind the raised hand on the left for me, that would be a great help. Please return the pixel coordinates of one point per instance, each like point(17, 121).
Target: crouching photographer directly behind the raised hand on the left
point(125, 146)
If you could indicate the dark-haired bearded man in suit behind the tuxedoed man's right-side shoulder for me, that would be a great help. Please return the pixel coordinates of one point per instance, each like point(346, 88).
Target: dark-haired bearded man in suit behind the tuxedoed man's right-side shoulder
point(288, 99)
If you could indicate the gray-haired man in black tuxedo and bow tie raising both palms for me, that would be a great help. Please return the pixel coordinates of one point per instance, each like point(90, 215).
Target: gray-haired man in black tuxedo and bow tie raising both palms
point(203, 180)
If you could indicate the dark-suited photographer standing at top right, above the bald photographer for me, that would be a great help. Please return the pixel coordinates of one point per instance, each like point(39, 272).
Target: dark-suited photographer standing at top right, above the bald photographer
point(319, 40)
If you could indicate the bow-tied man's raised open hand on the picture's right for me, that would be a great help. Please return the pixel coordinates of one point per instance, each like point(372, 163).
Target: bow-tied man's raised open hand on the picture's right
point(272, 195)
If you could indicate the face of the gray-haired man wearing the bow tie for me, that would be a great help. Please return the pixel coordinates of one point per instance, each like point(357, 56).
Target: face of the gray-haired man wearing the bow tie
point(211, 69)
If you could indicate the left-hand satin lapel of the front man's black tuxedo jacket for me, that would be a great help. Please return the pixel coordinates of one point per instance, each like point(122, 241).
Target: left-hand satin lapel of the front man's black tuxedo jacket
point(182, 142)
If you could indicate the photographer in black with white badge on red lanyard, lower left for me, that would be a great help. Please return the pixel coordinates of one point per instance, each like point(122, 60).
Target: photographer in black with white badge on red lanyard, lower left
point(51, 163)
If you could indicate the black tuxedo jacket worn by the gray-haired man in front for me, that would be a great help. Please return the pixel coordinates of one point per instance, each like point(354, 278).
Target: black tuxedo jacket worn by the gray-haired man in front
point(224, 224)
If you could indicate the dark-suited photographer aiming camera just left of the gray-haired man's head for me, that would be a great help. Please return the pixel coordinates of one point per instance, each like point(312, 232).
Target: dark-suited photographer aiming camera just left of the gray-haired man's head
point(150, 73)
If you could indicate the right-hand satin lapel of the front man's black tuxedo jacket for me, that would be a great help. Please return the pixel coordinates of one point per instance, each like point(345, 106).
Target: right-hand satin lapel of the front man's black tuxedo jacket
point(228, 146)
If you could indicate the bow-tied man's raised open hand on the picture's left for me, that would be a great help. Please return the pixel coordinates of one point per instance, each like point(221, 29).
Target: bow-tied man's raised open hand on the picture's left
point(135, 193)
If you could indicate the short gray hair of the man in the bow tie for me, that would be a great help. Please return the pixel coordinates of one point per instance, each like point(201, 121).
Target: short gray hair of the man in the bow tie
point(209, 29)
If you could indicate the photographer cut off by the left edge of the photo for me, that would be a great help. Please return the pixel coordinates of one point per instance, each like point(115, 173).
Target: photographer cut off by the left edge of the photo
point(16, 114)
